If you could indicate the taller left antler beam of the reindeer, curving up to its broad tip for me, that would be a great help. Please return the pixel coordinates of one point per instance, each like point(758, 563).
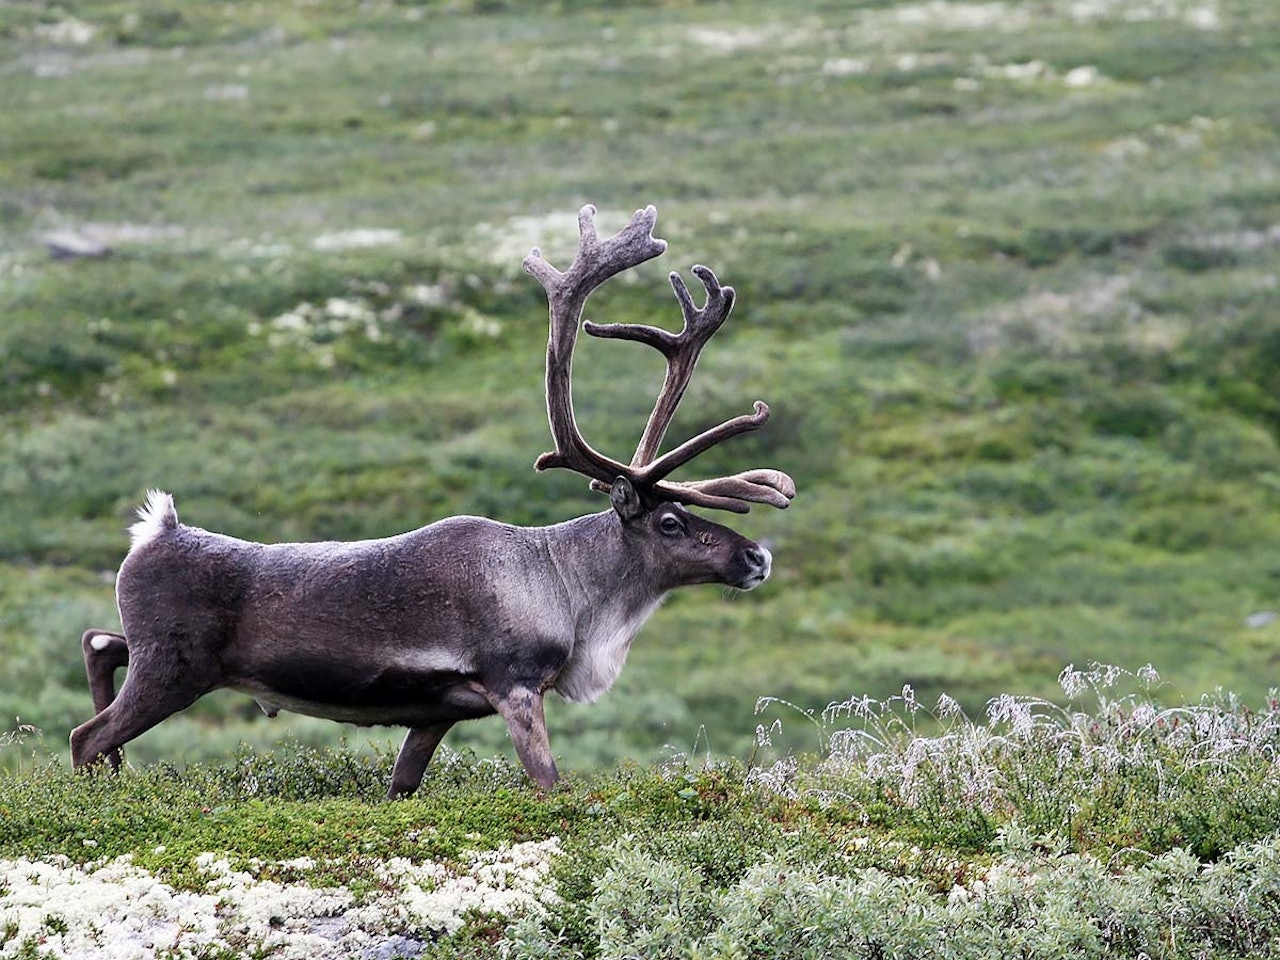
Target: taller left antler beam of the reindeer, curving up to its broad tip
point(568, 292)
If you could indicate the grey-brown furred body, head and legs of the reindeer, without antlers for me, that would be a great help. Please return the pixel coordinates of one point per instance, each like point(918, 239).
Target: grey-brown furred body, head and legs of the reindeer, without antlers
point(455, 621)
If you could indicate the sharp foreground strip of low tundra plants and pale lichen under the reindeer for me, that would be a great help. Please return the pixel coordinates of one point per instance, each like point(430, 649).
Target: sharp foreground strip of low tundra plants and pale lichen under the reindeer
point(1119, 824)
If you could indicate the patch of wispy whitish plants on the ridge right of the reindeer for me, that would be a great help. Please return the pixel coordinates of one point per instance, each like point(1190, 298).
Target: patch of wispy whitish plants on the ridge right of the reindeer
point(1112, 764)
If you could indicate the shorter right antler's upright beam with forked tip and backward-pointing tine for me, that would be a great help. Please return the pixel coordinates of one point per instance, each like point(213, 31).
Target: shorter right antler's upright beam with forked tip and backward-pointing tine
point(680, 350)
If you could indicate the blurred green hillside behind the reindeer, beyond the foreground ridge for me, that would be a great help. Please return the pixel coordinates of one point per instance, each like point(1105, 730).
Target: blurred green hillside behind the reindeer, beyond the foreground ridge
point(1007, 272)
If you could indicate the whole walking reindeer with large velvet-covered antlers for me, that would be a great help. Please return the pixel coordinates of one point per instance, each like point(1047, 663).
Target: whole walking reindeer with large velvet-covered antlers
point(465, 618)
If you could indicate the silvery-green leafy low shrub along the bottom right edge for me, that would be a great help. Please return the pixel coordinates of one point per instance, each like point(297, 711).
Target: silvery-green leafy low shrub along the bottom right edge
point(1028, 903)
